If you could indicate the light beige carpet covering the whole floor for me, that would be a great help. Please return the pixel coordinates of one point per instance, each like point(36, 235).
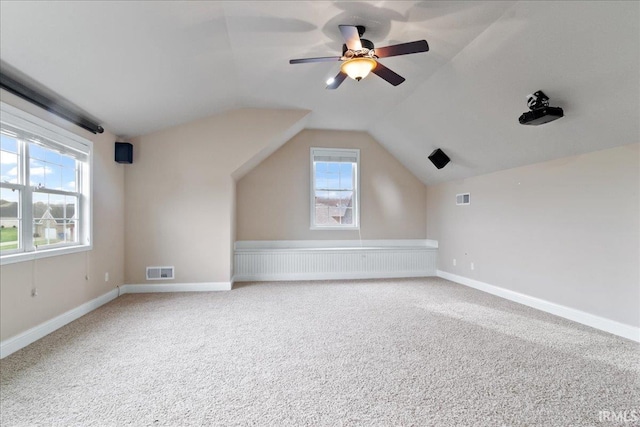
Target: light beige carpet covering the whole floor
point(408, 352)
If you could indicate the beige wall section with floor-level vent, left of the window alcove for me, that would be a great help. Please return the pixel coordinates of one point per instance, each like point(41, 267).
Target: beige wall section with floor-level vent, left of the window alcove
point(180, 192)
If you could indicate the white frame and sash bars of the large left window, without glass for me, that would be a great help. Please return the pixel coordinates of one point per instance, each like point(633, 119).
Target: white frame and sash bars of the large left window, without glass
point(21, 120)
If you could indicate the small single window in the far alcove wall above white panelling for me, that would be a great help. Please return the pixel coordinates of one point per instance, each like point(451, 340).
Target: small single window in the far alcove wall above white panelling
point(334, 189)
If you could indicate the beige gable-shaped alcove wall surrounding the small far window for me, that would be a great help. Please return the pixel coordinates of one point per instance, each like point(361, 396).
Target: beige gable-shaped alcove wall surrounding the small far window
point(273, 199)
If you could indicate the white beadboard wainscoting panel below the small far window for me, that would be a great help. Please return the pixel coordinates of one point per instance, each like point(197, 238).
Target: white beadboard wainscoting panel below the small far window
point(264, 262)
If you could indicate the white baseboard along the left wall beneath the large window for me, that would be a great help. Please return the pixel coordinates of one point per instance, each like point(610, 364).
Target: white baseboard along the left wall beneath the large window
point(13, 344)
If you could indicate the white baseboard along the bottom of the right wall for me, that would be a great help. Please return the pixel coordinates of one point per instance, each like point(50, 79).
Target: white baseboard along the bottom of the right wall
point(597, 322)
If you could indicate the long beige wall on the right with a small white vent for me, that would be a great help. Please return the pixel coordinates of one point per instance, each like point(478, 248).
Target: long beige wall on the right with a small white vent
point(566, 231)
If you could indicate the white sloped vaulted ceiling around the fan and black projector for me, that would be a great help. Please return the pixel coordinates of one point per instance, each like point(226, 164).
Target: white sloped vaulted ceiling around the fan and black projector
point(141, 66)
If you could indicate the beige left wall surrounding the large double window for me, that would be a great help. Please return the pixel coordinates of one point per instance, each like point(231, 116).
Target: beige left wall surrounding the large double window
point(61, 280)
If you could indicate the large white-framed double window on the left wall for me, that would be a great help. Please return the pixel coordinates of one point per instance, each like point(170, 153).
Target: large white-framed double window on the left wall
point(44, 188)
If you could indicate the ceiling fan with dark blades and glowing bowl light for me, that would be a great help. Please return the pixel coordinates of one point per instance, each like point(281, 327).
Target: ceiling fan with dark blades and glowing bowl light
point(360, 57)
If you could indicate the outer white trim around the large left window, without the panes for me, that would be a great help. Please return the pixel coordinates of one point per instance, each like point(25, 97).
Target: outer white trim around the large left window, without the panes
point(17, 118)
